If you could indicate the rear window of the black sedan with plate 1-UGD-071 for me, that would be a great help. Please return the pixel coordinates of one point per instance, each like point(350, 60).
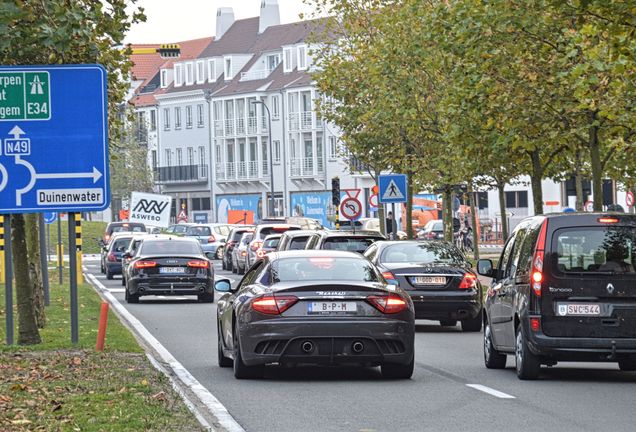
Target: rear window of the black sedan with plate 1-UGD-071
point(422, 253)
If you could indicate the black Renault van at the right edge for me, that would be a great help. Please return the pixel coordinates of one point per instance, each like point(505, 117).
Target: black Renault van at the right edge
point(564, 290)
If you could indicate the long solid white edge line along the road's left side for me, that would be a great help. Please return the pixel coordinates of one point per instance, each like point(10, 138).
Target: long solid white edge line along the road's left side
point(215, 407)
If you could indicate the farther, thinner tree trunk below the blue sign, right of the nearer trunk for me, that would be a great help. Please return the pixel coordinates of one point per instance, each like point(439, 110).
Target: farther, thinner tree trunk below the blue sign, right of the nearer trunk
point(35, 266)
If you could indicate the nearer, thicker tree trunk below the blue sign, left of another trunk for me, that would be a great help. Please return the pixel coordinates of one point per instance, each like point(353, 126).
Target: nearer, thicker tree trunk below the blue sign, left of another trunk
point(28, 333)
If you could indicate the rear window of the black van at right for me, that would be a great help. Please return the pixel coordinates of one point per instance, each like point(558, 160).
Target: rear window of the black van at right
point(596, 249)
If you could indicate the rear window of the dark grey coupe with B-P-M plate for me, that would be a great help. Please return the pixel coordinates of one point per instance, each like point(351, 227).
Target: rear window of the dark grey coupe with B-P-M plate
point(323, 268)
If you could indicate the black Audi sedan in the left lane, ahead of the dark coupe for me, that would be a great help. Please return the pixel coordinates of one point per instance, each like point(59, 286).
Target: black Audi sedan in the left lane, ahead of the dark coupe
point(167, 265)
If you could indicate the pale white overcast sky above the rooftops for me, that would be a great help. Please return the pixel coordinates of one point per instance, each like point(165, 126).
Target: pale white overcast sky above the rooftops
point(179, 20)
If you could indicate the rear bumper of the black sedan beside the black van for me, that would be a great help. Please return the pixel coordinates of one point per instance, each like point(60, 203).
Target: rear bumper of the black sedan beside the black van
point(439, 305)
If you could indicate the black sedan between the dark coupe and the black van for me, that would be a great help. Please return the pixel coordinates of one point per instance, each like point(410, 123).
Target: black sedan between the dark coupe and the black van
point(438, 278)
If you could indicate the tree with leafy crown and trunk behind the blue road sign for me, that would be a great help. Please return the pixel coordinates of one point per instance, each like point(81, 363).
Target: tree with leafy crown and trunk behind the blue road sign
point(57, 32)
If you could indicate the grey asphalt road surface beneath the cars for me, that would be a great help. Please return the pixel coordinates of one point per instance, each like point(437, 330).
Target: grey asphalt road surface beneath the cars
point(439, 397)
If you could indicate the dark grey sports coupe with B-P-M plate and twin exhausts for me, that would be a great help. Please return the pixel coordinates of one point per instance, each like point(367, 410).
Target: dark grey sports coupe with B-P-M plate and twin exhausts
point(314, 307)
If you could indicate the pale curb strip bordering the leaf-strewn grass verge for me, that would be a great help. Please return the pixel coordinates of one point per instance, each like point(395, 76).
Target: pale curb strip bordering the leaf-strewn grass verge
point(204, 405)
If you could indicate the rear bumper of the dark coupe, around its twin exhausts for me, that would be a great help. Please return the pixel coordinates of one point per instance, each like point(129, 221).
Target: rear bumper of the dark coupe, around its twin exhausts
point(281, 341)
